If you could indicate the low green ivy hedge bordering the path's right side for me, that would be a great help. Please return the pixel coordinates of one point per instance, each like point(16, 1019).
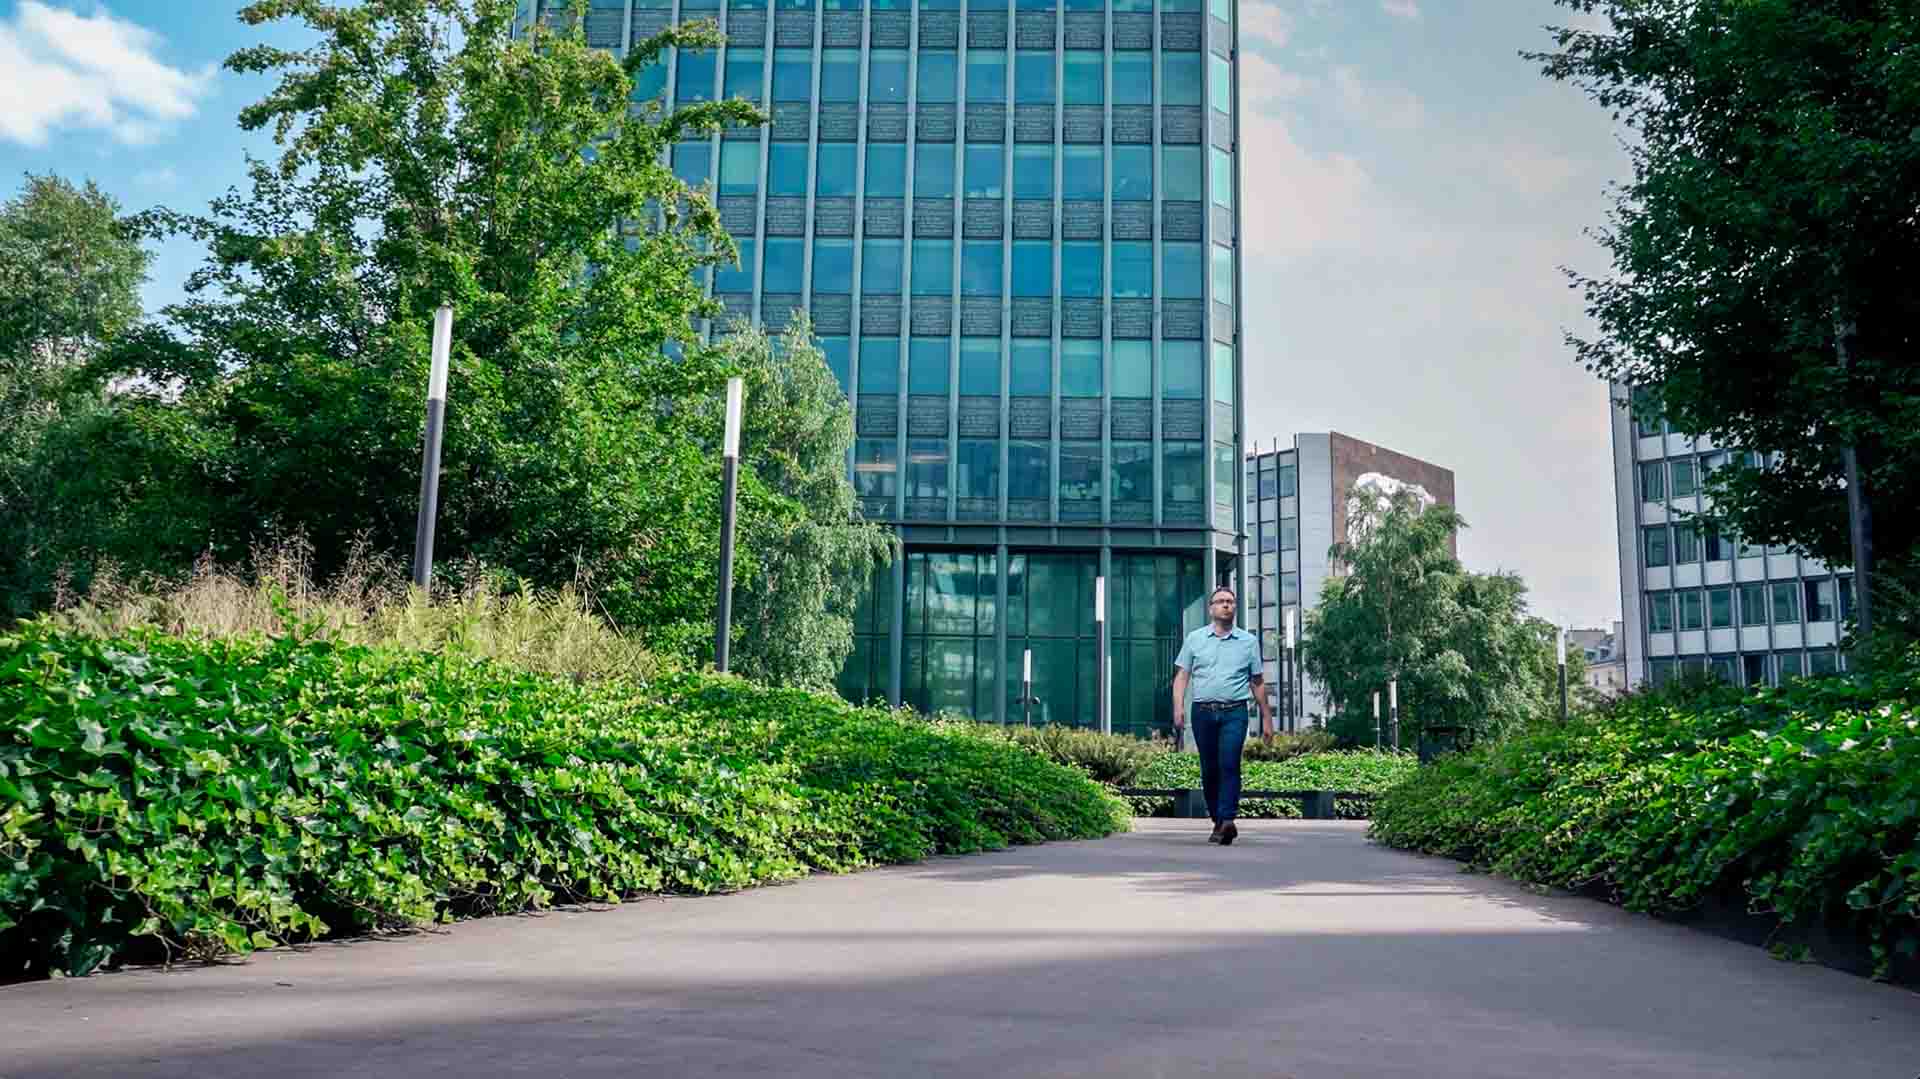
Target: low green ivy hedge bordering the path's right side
point(1802, 802)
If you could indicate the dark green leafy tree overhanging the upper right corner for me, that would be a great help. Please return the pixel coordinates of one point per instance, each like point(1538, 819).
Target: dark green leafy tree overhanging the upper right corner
point(1765, 254)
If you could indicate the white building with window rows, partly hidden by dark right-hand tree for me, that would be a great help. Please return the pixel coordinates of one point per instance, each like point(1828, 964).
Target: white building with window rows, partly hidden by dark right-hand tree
point(1698, 602)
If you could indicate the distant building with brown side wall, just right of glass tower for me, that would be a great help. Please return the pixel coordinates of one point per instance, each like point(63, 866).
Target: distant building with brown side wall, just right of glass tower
point(1295, 514)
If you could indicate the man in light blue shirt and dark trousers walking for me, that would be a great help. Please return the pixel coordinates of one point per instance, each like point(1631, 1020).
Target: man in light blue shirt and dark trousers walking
point(1220, 663)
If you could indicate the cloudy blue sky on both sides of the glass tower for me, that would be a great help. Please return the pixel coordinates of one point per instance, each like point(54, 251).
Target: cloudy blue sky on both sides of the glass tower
point(1412, 187)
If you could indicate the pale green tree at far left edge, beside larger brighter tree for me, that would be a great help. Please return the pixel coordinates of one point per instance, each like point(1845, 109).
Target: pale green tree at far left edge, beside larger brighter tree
point(70, 289)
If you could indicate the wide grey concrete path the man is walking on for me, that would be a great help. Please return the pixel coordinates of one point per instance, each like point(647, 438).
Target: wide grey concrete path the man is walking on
point(1303, 951)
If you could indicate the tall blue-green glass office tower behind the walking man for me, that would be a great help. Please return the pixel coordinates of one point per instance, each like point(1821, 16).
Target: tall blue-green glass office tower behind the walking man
point(1015, 228)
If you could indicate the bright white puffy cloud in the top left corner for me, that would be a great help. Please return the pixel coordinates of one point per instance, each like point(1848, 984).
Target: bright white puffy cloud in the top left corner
point(89, 72)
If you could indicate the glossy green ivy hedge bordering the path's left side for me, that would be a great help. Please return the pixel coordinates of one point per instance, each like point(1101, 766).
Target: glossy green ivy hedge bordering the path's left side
point(183, 796)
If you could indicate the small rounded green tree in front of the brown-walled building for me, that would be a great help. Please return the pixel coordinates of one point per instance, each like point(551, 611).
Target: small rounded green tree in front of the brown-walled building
point(1403, 610)
